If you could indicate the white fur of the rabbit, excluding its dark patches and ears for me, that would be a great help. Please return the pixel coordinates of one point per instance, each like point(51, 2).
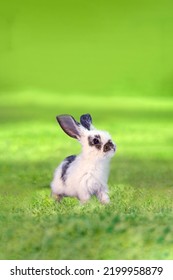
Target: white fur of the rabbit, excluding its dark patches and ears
point(88, 174)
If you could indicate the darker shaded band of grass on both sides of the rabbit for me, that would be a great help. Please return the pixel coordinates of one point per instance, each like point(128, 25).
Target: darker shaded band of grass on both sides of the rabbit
point(21, 176)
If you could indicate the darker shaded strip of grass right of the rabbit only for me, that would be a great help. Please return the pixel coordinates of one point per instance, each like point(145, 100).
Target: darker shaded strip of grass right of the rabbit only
point(142, 172)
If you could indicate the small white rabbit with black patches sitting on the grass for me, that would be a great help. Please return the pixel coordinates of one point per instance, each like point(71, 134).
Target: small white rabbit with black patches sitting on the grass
point(86, 174)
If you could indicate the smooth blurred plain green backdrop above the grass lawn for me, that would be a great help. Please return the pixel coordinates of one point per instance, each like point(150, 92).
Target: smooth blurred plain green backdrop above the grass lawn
point(118, 47)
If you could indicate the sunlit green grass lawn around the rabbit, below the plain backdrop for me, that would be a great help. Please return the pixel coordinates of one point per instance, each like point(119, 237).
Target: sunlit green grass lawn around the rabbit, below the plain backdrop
point(137, 224)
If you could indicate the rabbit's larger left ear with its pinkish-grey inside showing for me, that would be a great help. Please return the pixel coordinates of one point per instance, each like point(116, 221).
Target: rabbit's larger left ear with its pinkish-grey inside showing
point(69, 125)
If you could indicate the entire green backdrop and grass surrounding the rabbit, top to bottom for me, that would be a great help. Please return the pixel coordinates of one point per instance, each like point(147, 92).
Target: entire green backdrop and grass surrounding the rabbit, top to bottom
point(113, 59)
